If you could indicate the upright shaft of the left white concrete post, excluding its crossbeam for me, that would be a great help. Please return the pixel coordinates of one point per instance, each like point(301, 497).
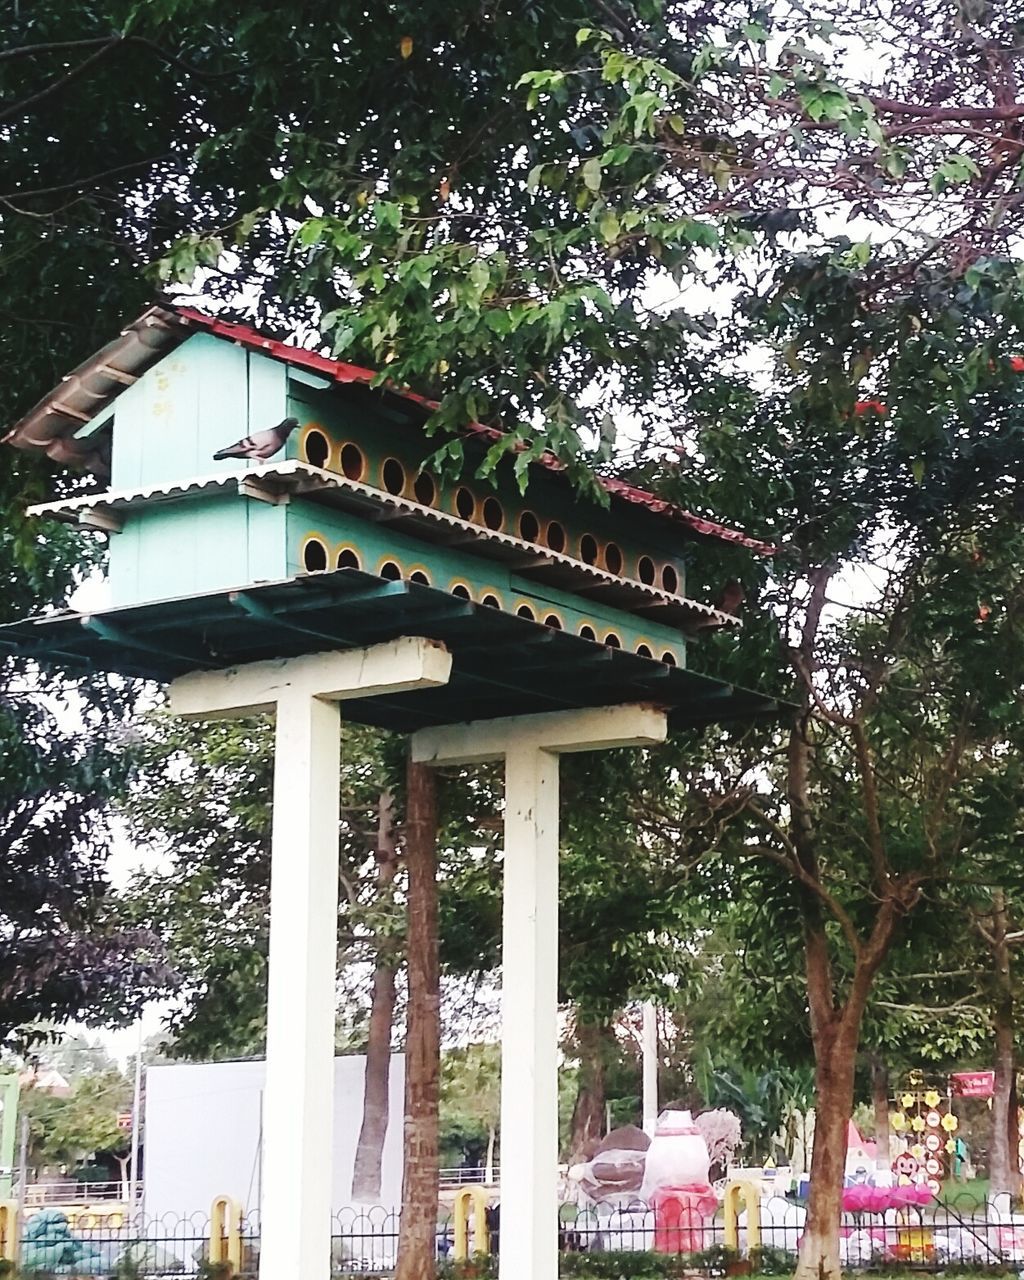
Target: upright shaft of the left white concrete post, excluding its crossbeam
point(299, 1095)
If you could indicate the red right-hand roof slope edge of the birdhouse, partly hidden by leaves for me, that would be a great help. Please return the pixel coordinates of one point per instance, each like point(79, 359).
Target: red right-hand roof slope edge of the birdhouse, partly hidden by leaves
point(345, 373)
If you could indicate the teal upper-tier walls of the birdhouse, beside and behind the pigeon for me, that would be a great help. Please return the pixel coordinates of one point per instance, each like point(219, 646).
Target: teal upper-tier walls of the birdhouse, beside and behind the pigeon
point(208, 394)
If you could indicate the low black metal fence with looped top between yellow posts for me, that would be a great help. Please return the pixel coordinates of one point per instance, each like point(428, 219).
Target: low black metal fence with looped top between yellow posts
point(962, 1235)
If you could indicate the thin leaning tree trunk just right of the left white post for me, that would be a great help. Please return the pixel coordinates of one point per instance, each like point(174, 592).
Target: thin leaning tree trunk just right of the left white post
point(377, 1082)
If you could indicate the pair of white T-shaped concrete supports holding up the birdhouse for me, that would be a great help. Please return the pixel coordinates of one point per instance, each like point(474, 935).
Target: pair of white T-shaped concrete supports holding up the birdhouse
point(305, 694)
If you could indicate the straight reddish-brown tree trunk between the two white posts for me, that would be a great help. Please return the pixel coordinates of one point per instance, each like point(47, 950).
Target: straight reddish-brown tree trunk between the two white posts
point(423, 1037)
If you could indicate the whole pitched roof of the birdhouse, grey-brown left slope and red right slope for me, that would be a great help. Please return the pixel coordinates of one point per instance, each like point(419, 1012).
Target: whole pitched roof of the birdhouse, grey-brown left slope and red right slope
point(51, 426)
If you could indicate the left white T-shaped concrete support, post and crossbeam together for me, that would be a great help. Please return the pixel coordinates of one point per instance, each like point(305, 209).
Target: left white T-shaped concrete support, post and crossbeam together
point(299, 1098)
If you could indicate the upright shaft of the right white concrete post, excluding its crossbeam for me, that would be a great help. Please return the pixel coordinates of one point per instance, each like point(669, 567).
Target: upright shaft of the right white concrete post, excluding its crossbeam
point(529, 1181)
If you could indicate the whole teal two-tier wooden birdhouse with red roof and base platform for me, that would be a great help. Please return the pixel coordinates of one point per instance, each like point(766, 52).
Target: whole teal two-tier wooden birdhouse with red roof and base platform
point(264, 501)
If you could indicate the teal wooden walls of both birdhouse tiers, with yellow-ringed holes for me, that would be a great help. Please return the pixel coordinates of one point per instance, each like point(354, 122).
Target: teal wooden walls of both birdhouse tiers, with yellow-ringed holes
point(209, 394)
